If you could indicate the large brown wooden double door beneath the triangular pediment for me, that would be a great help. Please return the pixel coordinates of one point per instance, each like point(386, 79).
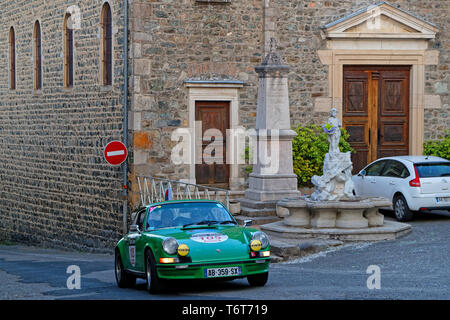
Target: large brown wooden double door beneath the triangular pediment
point(376, 111)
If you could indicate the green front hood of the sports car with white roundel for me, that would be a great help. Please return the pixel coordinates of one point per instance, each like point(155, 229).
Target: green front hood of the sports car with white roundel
point(213, 243)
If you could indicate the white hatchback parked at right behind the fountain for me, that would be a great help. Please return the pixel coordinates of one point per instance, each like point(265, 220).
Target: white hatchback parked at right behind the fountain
point(412, 183)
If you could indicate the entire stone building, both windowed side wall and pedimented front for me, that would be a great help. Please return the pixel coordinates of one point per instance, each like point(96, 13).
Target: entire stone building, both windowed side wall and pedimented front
point(191, 60)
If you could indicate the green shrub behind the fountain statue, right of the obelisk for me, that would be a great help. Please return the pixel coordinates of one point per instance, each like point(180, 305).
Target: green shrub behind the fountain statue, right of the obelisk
point(309, 149)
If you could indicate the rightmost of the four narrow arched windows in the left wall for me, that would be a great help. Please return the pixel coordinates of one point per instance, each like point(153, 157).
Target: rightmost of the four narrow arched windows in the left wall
point(106, 45)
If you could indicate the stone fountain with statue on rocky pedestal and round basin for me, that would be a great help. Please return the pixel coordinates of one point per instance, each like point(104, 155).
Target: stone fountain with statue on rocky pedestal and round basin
point(333, 211)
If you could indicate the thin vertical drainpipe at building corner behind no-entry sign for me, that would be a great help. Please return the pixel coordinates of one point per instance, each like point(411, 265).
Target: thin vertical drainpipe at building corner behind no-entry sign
point(125, 113)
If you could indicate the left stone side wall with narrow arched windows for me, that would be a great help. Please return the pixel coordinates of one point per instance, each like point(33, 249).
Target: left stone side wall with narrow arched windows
point(56, 188)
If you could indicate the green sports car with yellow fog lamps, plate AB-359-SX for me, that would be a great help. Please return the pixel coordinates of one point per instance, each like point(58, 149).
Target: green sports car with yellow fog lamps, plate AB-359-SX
point(189, 239)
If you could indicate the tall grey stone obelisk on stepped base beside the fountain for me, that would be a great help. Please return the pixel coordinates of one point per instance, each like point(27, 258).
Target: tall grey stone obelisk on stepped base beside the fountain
point(273, 177)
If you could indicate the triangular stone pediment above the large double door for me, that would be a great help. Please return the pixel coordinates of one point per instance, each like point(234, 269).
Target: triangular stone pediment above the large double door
point(380, 21)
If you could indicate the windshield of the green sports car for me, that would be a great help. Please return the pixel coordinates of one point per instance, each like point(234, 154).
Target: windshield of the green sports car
point(182, 214)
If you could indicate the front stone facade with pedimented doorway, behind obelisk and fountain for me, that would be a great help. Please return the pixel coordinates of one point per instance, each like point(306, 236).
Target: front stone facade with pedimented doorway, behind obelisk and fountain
point(188, 51)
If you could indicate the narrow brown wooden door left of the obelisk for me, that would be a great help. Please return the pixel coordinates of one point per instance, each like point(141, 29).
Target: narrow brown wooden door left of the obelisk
point(215, 118)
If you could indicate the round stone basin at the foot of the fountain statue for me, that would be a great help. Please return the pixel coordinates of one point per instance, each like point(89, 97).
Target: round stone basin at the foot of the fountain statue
point(347, 220)
